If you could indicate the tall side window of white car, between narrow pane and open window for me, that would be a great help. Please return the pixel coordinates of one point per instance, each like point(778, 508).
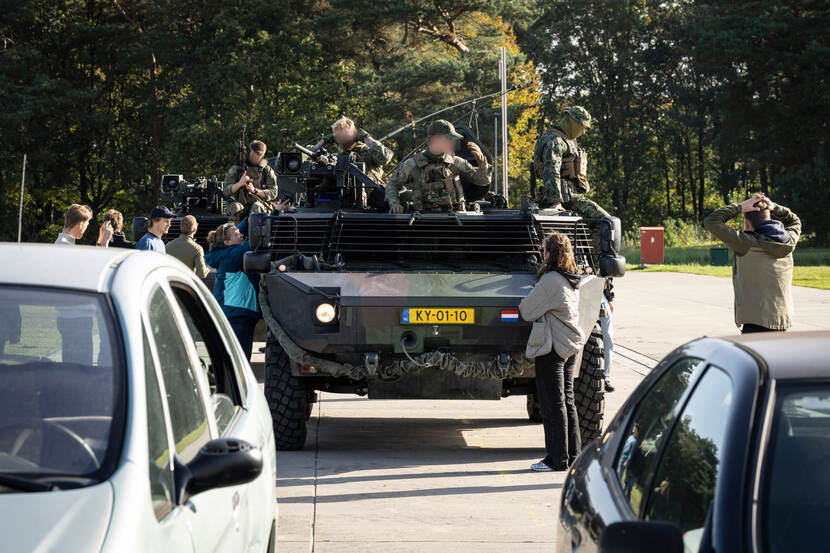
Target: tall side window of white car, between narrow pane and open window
point(188, 417)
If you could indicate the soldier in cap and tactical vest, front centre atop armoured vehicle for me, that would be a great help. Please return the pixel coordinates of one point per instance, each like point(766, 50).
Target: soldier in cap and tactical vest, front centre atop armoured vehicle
point(433, 176)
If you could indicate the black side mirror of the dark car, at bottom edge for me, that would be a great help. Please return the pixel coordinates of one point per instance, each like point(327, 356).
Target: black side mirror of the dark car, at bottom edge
point(641, 537)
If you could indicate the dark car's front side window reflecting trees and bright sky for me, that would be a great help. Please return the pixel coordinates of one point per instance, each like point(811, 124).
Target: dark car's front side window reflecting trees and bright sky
point(684, 484)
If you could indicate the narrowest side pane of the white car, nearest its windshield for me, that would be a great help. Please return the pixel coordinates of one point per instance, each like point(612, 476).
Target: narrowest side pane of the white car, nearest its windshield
point(161, 475)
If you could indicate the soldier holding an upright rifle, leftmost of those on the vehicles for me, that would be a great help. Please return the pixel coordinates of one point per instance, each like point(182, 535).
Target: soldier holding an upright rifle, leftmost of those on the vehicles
point(253, 188)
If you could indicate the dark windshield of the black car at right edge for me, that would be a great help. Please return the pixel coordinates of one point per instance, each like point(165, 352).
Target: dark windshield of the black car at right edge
point(796, 500)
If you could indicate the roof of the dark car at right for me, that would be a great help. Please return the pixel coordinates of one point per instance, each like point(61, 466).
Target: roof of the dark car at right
point(790, 355)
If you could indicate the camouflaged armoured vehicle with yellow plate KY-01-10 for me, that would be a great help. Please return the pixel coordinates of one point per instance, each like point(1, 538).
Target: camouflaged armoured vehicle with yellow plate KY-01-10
point(418, 305)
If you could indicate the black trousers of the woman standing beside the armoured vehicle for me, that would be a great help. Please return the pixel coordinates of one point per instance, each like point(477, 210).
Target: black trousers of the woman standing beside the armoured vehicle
point(555, 392)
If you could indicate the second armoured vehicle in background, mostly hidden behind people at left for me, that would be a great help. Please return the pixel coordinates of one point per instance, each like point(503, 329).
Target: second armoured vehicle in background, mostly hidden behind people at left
point(201, 197)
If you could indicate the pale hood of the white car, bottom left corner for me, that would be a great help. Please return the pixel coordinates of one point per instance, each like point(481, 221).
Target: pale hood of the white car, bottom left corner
point(67, 521)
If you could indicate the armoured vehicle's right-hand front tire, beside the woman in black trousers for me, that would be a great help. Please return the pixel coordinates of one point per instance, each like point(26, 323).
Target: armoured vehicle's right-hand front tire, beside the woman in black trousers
point(589, 389)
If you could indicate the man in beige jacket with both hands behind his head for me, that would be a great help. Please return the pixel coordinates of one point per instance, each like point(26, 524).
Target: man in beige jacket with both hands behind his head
point(762, 265)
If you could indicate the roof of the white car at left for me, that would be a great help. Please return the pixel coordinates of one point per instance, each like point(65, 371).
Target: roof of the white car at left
point(87, 268)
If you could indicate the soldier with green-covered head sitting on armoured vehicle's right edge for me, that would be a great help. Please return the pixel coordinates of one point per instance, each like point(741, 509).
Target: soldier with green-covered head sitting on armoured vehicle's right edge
point(562, 165)
